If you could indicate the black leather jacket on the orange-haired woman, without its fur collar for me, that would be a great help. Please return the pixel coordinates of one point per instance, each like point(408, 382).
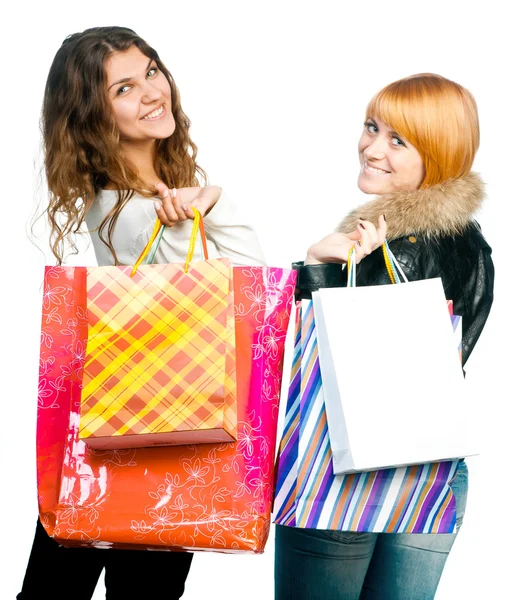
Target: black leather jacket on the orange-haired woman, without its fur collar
point(462, 261)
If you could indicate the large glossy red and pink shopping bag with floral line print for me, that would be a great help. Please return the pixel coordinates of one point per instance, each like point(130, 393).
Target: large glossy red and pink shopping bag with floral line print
point(194, 497)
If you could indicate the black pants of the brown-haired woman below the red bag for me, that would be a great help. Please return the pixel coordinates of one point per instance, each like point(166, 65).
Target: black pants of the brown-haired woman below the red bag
point(59, 573)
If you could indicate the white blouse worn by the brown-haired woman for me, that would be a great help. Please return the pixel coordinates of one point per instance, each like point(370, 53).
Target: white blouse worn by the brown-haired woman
point(228, 233)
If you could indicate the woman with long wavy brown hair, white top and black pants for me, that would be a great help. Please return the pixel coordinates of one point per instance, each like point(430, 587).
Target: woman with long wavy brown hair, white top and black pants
point(117, 155)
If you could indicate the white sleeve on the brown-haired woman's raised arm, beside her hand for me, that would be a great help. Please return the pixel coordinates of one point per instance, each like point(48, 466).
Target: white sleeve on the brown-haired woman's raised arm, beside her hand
point(229, 230)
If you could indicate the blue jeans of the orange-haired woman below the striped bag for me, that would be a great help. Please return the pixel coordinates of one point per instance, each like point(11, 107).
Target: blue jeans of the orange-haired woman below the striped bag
point(313, 564)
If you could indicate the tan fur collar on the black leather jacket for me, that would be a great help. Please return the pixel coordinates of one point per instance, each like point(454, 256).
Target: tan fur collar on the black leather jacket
point(444, 209)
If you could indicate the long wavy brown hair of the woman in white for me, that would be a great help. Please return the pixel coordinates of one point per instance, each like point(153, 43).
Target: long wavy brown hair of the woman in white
point(82, 150)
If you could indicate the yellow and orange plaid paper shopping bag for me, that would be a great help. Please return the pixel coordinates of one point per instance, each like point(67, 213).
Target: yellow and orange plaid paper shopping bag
point(160, 363)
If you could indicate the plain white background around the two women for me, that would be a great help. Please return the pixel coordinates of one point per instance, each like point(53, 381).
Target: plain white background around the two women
point(276, 93)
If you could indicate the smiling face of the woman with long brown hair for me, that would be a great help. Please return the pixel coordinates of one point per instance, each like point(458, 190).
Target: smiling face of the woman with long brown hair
point(140, 96)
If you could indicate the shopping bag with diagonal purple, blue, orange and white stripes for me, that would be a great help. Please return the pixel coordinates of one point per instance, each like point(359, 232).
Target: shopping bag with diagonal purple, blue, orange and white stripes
point(414, 499)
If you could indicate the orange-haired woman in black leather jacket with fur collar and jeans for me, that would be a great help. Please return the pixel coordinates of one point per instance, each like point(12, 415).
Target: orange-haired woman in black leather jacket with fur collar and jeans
point(416, 152)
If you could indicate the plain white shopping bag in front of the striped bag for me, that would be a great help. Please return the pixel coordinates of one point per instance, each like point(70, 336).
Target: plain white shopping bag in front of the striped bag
point(394, 388)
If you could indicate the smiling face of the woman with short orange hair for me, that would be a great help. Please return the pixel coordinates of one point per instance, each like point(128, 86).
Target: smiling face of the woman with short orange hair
point(389, 163)
